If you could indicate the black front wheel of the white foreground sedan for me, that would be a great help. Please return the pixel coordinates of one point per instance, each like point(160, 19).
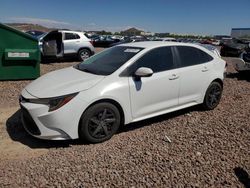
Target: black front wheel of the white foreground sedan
point(99, 123)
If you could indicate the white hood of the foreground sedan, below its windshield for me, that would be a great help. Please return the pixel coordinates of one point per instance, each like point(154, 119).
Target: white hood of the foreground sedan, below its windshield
point(62, 82)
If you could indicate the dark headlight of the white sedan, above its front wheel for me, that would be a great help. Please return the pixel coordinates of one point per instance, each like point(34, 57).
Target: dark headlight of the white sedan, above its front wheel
point(58, 102)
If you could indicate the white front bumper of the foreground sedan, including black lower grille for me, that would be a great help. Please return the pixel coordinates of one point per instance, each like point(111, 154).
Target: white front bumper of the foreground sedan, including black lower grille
point(61, 124)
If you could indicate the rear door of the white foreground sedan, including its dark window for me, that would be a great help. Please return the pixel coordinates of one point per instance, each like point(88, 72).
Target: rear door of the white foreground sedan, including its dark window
point(194, 71)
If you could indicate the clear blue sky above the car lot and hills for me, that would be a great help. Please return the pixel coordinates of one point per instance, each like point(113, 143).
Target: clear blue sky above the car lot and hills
point(199, 17)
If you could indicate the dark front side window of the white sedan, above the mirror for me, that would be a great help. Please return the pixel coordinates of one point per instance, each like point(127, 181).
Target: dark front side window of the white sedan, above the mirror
point(159, 59)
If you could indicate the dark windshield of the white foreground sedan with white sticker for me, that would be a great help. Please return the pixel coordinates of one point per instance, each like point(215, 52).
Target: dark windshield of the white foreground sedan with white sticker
point(108, 61)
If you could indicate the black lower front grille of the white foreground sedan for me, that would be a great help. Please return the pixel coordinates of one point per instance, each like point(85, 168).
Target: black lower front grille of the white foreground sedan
point(29, 123)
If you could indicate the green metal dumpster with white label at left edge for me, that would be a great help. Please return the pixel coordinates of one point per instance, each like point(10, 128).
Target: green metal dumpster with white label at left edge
point(19, 55)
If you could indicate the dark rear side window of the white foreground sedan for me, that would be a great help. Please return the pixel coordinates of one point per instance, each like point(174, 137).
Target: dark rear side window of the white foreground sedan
point(192, 56)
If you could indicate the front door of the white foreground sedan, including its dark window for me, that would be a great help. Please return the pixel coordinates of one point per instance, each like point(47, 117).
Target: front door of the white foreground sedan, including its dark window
point(152, 95)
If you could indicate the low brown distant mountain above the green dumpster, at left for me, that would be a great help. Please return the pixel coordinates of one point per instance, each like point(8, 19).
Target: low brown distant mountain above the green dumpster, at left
point(26, 27)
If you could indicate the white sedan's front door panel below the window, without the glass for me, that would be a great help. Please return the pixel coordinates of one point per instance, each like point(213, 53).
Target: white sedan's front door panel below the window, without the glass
point(148, 97)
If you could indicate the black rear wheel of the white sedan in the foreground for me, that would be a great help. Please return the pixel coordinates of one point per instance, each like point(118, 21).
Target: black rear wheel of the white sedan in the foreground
point(213, 96)
